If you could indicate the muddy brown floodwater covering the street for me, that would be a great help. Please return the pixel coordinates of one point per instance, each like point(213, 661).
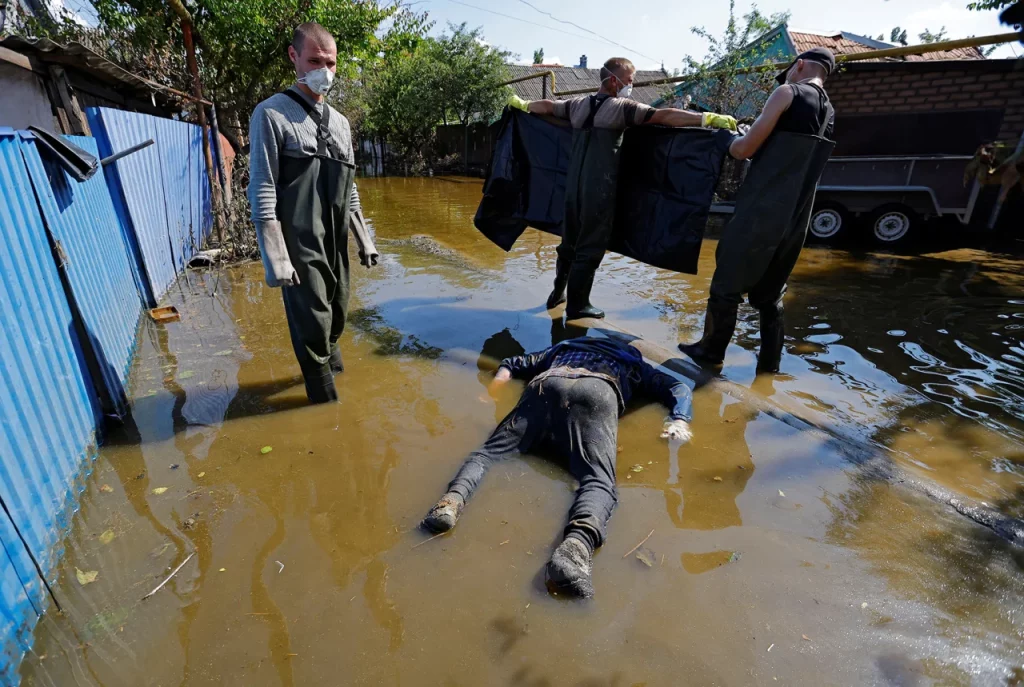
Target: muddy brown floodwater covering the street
point(772, 561)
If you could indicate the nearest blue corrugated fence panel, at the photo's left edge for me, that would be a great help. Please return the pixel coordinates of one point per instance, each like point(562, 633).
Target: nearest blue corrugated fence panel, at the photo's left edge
point(49, 409)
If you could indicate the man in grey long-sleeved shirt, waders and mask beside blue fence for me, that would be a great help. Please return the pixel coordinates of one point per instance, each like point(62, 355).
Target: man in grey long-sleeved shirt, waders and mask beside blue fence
point(305, 202)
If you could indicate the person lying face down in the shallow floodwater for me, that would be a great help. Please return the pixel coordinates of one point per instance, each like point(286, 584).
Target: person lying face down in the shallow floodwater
point(576, 393)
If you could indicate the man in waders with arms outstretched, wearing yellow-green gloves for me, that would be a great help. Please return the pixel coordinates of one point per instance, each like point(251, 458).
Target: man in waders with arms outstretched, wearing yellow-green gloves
point(599, 122)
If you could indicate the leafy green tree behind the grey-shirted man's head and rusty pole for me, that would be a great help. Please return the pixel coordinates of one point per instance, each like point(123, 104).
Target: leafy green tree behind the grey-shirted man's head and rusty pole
point(242, 45)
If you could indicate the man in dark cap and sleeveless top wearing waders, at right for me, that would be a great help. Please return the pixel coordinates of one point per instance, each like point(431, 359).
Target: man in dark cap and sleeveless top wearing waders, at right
point(790, 145)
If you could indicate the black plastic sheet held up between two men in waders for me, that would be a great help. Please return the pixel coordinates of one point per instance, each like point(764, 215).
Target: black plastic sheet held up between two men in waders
point(667, 182)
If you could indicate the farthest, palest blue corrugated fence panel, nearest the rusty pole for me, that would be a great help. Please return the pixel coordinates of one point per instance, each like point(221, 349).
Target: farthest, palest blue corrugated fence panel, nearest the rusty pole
point(163, 191)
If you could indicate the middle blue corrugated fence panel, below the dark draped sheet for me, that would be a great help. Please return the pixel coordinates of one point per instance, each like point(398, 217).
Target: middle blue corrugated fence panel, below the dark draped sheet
point(81, 217)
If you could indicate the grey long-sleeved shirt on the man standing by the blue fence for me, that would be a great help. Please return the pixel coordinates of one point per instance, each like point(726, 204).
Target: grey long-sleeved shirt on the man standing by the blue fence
point(281, 127)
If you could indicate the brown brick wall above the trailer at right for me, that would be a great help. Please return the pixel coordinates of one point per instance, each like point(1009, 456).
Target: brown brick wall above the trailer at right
point(921, 88)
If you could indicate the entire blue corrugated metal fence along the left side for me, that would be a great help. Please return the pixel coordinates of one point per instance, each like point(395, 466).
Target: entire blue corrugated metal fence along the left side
point(78, 263)
